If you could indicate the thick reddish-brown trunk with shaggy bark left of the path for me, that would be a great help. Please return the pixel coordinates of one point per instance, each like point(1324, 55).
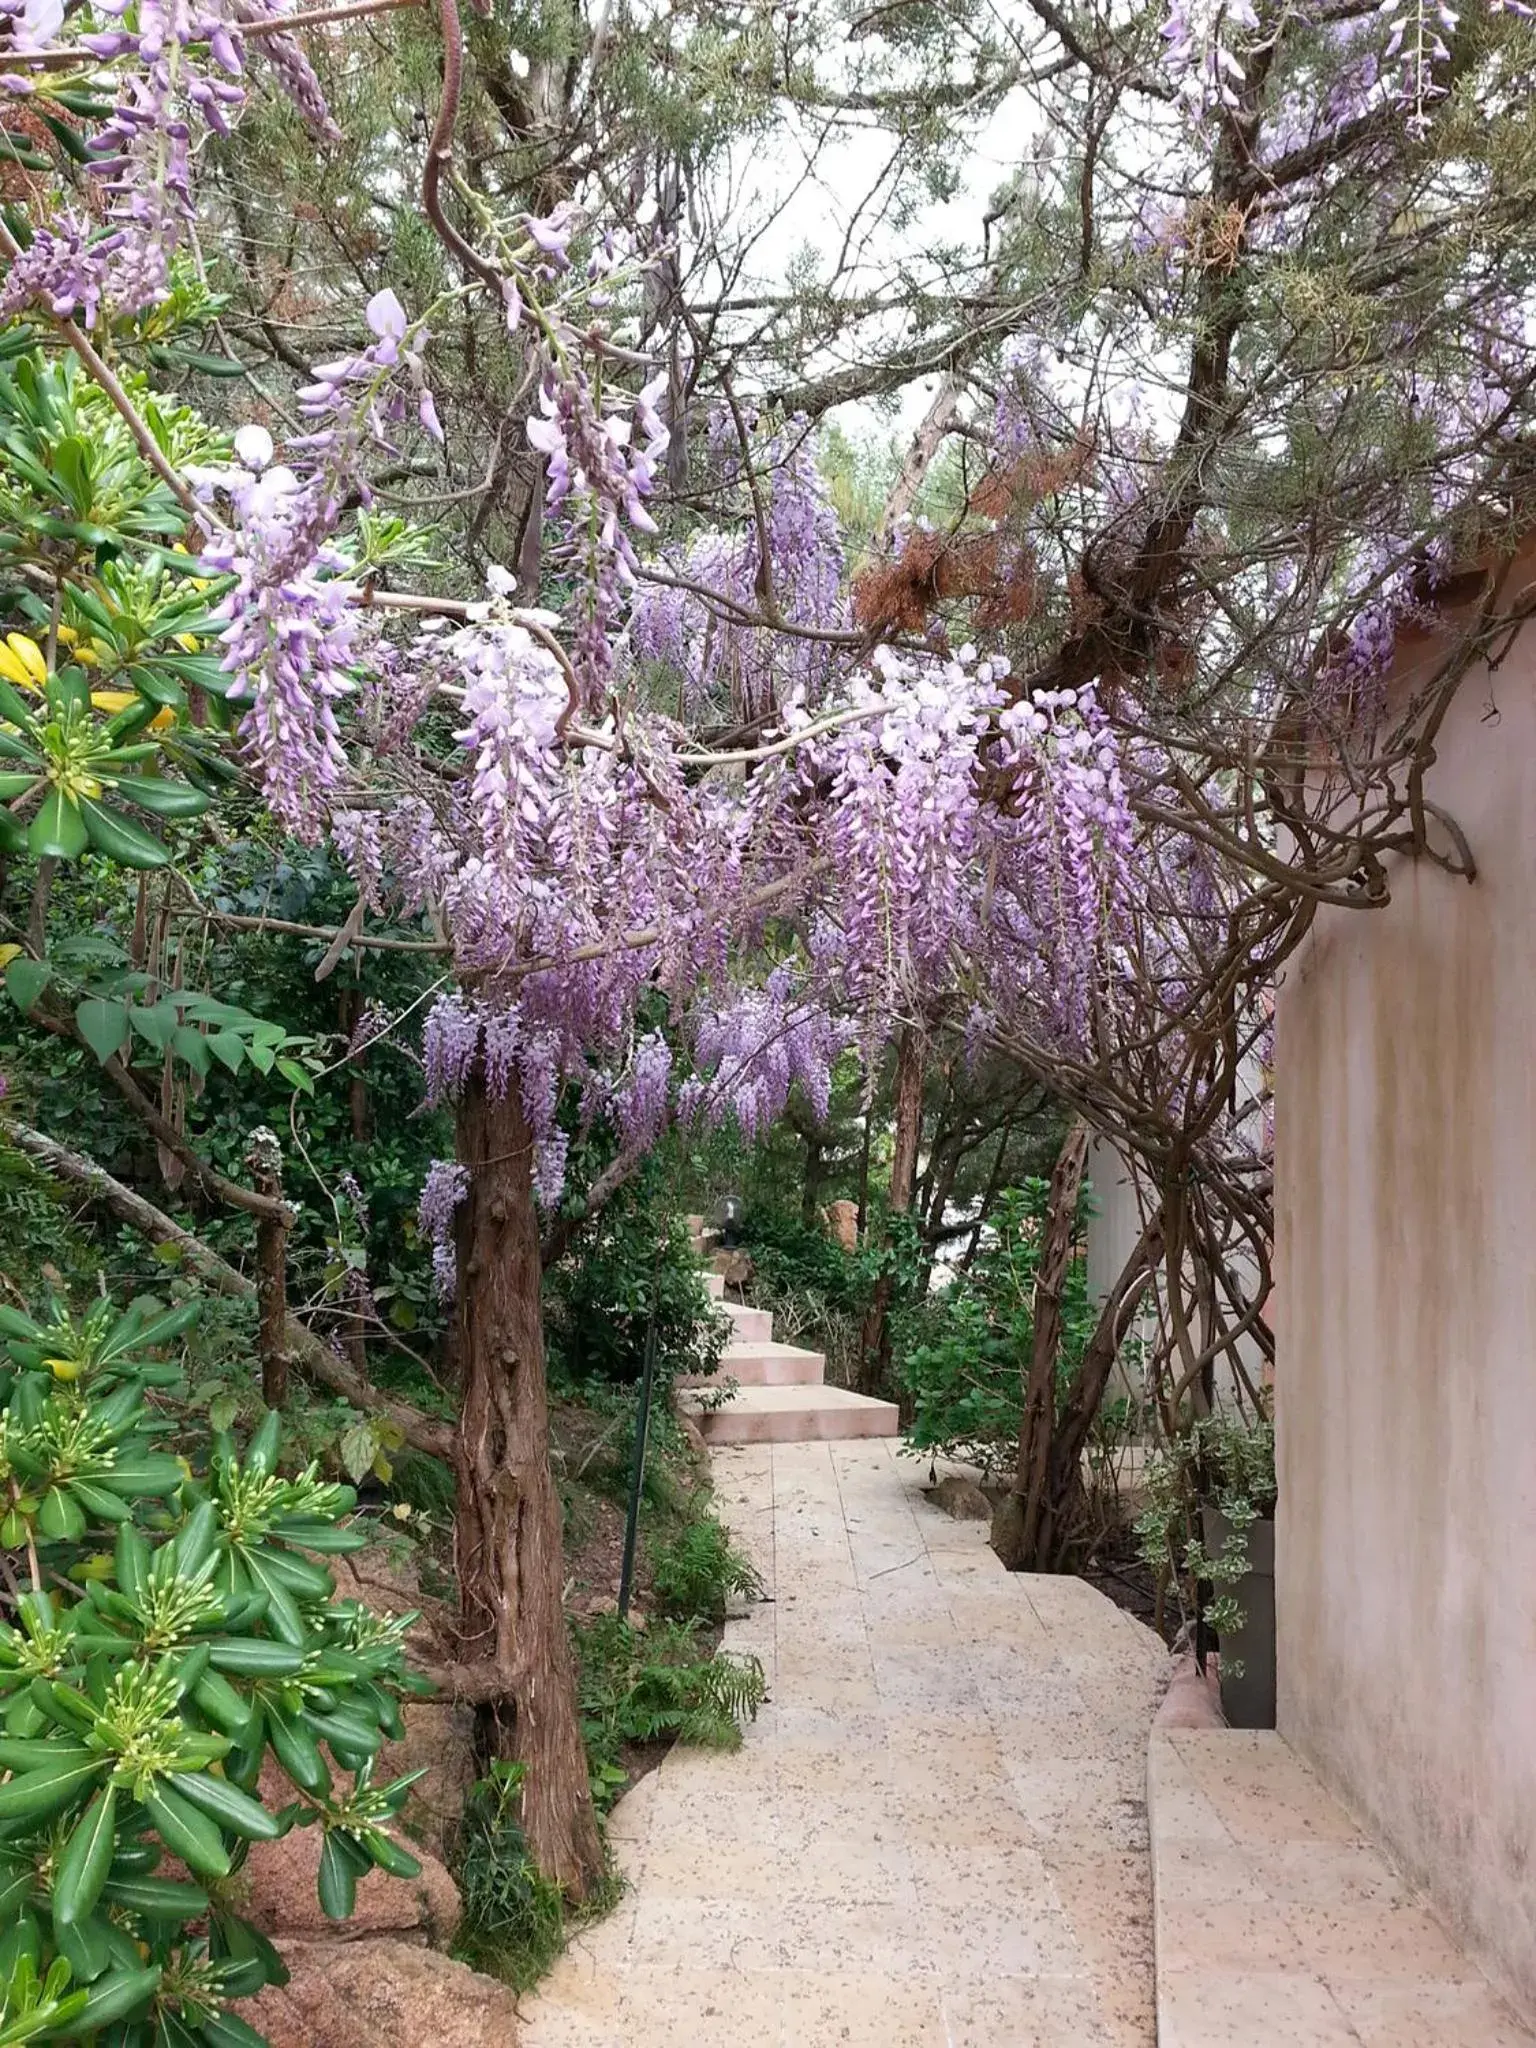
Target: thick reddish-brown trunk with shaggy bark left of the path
point(509, 1521)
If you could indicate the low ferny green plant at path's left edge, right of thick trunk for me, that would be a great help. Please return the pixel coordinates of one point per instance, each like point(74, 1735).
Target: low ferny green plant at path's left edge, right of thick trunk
point(658, 1687)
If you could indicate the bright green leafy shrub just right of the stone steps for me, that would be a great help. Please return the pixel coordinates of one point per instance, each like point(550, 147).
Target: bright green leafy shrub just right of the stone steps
point(964, 1355)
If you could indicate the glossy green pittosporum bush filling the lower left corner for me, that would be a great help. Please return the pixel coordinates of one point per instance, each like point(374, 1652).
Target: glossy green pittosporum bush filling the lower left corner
point(167, 1629)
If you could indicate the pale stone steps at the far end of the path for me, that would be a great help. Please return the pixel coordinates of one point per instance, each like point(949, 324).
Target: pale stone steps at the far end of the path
point(781, 1394)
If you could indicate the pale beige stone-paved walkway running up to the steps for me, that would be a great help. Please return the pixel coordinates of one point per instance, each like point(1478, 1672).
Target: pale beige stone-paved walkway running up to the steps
point(933, 1838)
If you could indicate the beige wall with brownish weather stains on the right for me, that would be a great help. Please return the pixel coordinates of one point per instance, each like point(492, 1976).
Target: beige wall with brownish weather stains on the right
point(1406, 1252)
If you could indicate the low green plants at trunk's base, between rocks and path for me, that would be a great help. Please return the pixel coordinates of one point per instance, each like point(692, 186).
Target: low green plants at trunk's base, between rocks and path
point(513, 1918)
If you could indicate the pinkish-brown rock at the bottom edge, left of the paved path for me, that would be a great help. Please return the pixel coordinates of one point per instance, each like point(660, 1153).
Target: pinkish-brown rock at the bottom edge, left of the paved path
point(382, 1996)
